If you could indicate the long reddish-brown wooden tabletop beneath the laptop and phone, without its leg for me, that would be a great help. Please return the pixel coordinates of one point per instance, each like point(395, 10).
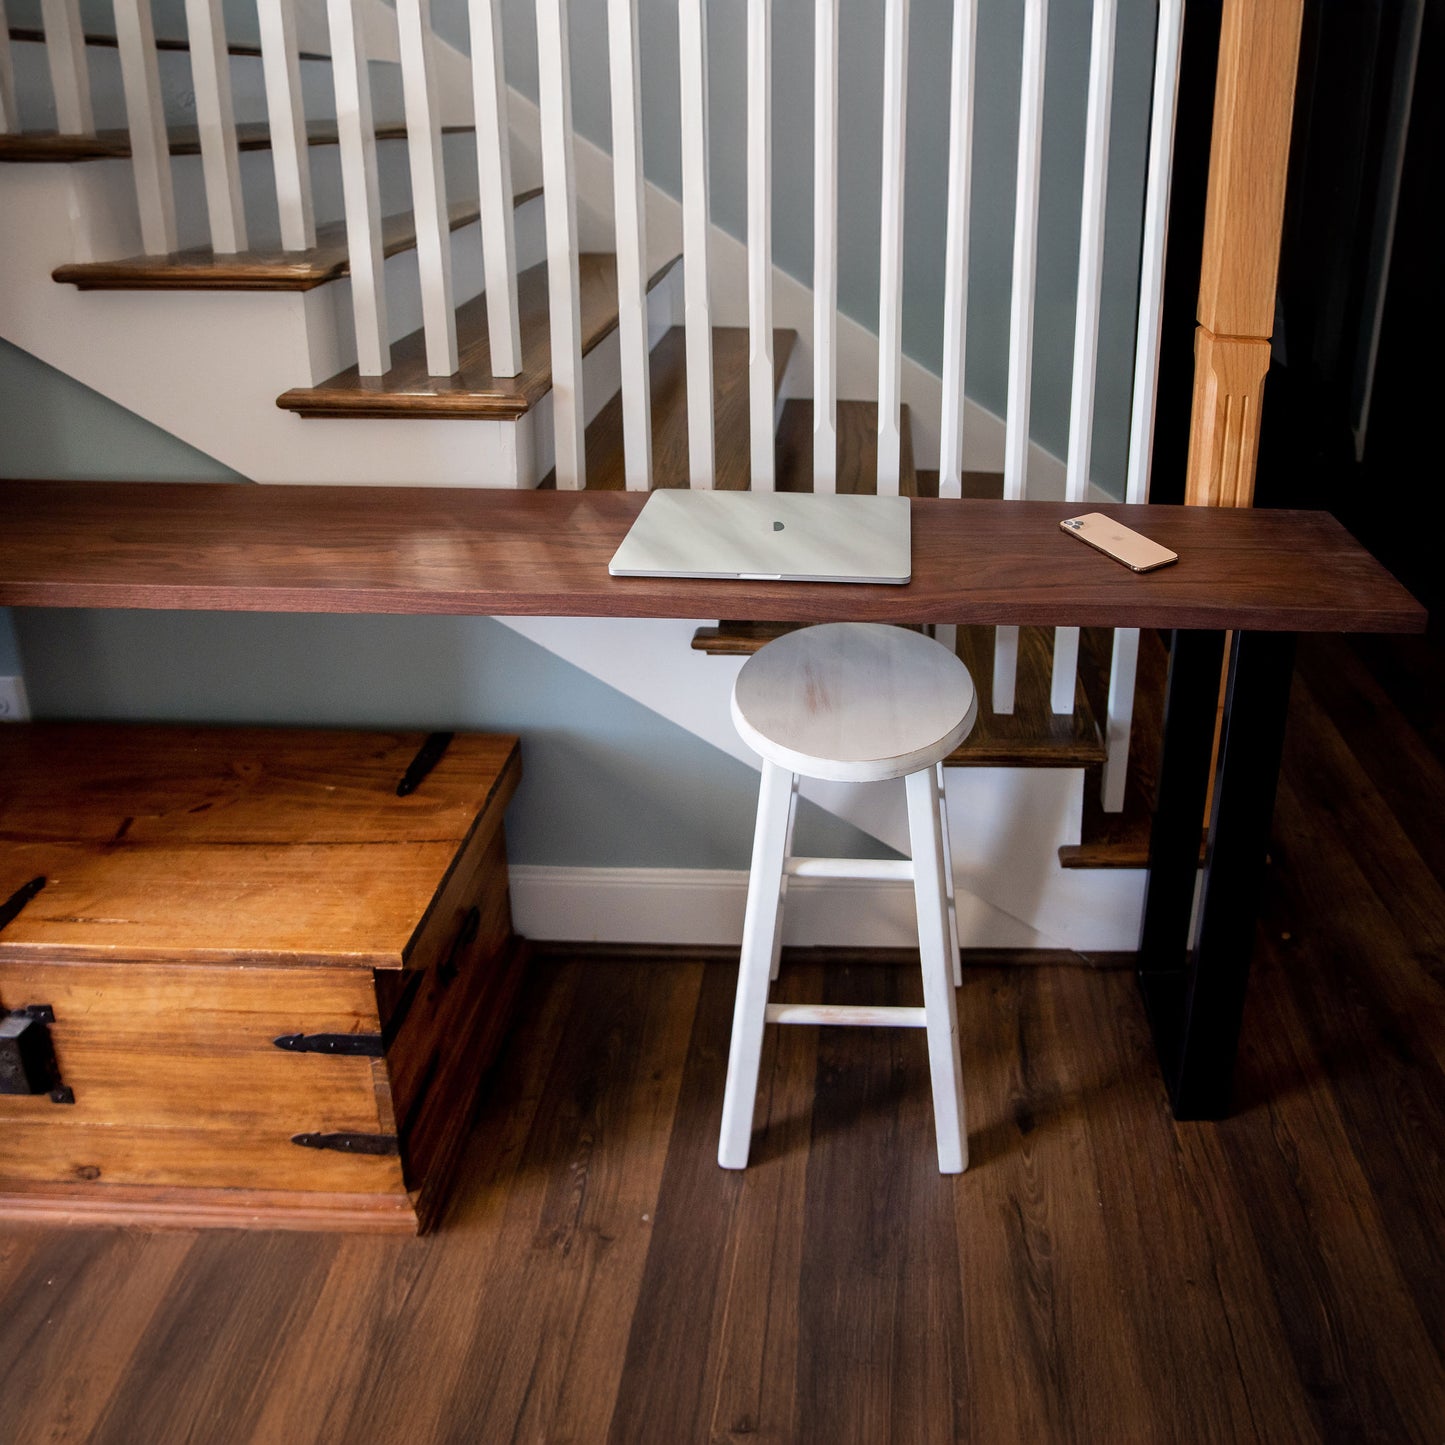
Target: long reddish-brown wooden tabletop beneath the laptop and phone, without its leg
point(413, 550)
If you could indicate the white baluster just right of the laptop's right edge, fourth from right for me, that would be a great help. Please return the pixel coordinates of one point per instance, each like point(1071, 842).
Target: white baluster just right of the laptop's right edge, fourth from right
point(956, 248)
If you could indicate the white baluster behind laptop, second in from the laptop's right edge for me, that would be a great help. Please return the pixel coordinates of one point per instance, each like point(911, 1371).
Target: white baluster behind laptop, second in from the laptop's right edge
point(826, 246)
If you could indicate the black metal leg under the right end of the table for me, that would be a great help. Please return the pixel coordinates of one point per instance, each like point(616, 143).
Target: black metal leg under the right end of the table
point(1196, 996)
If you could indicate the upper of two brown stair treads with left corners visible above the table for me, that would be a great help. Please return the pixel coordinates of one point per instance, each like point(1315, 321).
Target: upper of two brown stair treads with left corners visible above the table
point(261, 269)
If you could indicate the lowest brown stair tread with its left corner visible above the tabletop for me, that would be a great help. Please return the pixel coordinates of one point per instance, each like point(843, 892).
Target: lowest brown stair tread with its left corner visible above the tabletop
point(408, 391)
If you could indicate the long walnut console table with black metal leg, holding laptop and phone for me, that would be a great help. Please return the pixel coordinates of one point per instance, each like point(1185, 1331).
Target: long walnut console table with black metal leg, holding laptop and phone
point(1261, 576)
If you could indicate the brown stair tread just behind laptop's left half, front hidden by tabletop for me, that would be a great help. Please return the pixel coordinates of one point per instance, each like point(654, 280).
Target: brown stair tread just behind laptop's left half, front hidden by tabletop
point(668, 379)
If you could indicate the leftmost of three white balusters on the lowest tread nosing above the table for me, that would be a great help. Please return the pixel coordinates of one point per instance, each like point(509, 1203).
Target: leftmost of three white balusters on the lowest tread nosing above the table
point(359, 187)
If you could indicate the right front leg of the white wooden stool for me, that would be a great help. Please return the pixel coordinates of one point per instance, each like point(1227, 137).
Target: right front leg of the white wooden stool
point(940, 1004)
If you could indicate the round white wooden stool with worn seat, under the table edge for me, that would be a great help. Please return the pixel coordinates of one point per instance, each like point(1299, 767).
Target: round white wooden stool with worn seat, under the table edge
point(850, 703)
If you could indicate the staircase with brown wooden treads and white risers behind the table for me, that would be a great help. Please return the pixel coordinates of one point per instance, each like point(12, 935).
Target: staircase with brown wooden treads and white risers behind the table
point(277, 382)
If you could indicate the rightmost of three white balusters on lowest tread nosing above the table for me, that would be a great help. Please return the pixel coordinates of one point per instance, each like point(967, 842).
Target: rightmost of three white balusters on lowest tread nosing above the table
point(499, 246)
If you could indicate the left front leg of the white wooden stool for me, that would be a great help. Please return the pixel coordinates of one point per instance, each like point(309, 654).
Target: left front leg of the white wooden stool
point(761, 924)
